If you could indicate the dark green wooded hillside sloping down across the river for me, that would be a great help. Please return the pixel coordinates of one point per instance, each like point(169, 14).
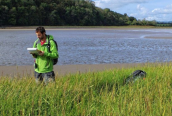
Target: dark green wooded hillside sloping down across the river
point(62, 13)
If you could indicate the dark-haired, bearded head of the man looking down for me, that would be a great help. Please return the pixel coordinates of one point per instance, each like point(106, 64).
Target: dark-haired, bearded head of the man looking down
point(40, 32)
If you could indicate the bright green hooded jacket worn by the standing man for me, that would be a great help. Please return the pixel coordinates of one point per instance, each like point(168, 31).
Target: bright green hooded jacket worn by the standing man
point(45, 63)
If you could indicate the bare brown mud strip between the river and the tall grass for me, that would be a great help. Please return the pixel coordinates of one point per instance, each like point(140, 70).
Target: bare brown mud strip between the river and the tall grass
point(61, 70)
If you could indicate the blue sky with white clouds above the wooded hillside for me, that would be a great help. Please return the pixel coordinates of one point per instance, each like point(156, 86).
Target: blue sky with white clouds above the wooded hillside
point(159, 10)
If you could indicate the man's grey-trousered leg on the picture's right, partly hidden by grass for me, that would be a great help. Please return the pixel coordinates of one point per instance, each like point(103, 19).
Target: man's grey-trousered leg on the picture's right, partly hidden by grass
point(48, 77)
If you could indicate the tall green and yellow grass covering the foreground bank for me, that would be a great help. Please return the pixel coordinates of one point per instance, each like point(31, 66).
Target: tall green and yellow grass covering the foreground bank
point(99, 93)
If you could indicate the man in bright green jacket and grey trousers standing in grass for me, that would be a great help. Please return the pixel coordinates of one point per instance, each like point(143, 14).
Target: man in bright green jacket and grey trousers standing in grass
point(43, 60)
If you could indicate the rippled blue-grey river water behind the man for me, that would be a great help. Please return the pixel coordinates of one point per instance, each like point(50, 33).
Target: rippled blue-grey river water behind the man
point(91, 46)
